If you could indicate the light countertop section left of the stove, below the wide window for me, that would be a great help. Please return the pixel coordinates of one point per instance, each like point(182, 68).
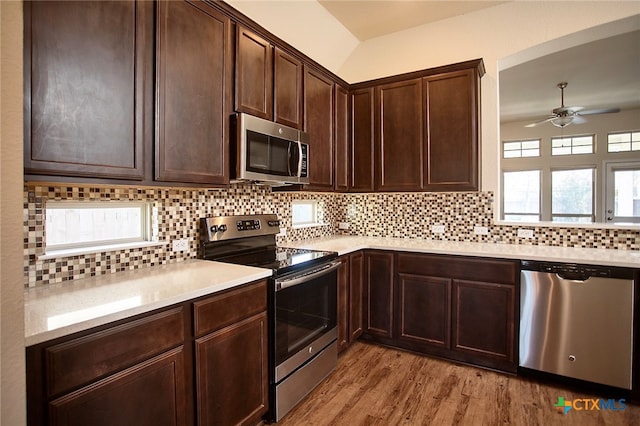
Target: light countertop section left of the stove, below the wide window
point(58, 310)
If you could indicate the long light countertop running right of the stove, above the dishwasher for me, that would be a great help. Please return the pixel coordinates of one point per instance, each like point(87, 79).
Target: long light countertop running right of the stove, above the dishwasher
point(606, 257)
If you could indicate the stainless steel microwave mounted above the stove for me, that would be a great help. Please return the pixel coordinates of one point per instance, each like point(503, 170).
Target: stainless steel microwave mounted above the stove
point(270, 153)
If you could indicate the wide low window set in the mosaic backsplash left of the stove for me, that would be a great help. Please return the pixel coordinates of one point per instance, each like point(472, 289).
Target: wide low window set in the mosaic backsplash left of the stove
point(95, 224)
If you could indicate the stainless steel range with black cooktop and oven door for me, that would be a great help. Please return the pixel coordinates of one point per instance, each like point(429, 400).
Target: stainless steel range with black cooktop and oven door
point(302, 298)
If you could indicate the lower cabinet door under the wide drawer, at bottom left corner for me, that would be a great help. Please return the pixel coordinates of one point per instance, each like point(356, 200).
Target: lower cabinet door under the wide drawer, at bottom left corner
point(151, 393)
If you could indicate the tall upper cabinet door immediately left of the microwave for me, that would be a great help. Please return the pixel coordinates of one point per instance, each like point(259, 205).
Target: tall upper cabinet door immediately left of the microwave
point(193, 56)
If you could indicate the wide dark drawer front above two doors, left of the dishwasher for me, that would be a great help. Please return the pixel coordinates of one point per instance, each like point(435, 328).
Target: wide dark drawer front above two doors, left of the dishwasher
point(464, 268)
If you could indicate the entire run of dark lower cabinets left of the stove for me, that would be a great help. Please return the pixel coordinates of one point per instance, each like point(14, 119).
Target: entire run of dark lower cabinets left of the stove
point(153, 370)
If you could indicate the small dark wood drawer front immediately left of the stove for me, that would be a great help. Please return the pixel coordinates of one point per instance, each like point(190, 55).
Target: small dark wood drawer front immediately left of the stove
point(225, 309)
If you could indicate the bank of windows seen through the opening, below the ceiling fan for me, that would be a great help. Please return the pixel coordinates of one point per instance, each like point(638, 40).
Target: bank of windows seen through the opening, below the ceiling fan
point(573, 178)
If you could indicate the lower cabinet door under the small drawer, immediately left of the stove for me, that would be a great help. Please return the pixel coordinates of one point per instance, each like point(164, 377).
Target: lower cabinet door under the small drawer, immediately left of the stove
point(231, 374)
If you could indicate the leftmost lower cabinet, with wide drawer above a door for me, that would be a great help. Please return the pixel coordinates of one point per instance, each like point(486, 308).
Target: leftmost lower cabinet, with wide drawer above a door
point(132, 373)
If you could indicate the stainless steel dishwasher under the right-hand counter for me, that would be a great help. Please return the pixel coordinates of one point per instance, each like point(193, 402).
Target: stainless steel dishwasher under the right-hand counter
point(577, 321)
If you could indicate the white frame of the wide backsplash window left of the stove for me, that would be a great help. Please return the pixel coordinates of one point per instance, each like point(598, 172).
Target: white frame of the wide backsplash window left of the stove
point(146, 236)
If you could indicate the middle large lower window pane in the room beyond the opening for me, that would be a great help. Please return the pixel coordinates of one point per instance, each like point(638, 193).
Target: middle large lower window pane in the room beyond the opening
point(572, 195)
